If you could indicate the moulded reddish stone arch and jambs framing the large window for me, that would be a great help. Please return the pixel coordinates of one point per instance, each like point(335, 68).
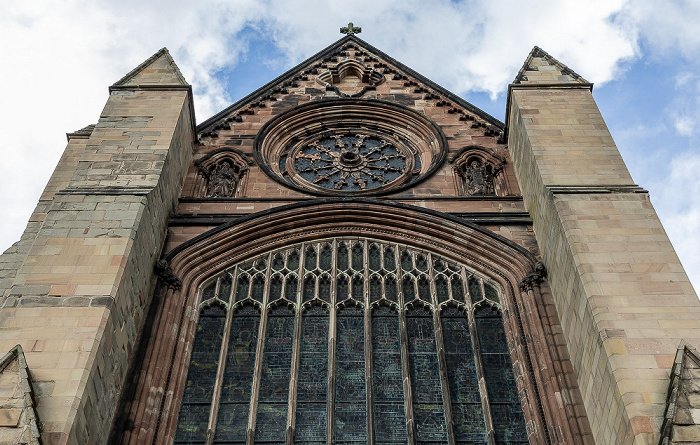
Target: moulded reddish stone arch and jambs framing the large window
point(151, 403)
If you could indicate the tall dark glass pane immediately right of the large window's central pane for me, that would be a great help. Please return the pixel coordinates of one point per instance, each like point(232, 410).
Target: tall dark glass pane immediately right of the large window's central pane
point(387, 376)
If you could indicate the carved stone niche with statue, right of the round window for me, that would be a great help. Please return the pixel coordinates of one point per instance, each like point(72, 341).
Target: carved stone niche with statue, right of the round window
point(479, 171)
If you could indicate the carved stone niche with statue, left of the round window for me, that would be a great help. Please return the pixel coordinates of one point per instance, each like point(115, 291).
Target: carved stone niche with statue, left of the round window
point(221, 174)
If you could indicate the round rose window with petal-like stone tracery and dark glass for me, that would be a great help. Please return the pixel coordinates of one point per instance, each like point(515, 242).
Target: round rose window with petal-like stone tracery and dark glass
point(353, 161)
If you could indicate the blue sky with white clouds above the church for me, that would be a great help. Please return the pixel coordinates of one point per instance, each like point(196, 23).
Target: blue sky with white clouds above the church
point(57, 59)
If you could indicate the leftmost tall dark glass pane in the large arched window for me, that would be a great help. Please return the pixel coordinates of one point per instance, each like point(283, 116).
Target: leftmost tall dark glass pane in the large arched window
point(204, 361)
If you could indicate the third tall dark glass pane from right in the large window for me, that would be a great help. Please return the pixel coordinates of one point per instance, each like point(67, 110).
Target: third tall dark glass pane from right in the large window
point(425, 377)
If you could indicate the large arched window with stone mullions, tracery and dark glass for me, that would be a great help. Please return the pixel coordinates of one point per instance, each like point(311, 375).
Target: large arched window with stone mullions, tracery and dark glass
point(350, 341)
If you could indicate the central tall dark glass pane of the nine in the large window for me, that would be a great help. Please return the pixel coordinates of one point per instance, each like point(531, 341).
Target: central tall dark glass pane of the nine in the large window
point(350, 390)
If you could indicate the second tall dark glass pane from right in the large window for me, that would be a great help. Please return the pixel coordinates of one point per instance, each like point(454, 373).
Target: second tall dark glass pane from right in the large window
point(467, 411)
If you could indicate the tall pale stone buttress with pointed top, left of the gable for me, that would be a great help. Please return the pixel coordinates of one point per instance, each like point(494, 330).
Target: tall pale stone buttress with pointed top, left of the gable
point(78, 301)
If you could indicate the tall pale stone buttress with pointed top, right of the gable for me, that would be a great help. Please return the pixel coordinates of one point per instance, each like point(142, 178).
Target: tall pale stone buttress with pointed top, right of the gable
point(620, 291)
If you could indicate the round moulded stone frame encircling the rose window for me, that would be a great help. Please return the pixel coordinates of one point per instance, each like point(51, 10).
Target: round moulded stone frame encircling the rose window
point(286, 133)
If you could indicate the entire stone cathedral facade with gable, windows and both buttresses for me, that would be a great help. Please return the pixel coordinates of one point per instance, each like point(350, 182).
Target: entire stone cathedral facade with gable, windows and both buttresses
point(351, 254)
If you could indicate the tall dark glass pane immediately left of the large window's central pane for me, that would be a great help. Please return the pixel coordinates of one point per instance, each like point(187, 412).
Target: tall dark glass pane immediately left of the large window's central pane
point(312, 386)
